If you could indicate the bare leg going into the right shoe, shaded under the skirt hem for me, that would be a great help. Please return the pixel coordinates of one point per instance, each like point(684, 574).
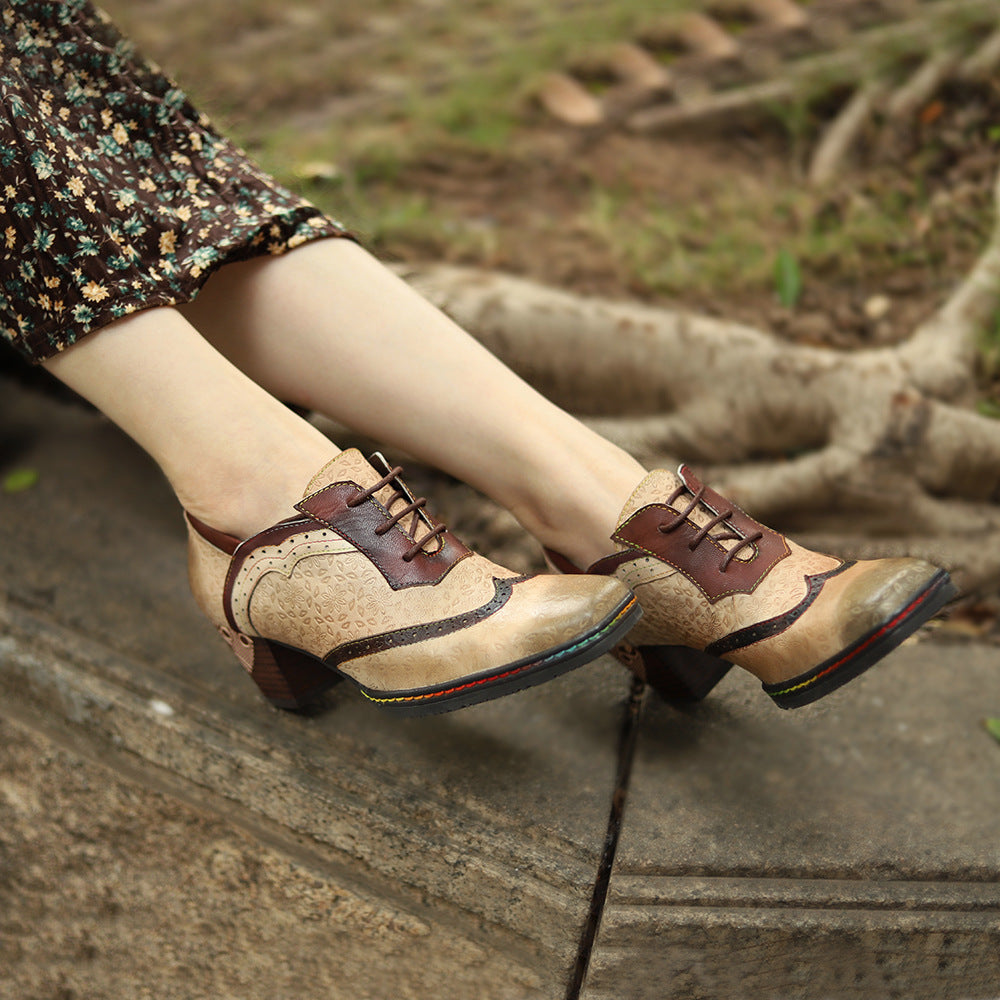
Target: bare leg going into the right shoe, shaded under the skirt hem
point(329, 327)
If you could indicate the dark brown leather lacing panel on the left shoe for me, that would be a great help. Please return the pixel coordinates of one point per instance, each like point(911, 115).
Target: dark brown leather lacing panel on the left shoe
point(329, 507)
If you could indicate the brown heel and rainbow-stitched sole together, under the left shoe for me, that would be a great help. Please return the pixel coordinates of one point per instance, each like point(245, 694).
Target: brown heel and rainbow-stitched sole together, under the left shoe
point(290, 678)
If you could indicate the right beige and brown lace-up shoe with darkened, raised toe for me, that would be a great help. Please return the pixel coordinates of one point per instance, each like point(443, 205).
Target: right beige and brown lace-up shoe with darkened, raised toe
point(718, 589)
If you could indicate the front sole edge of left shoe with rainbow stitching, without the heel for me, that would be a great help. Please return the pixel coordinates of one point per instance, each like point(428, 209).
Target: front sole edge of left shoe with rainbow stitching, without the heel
point(512, 677)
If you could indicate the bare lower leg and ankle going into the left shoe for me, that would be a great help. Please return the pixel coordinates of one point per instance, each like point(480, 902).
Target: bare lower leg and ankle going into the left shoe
point(235, 456)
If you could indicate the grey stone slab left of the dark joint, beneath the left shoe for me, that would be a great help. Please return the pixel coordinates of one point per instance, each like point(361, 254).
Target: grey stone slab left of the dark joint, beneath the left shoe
point(491, 819)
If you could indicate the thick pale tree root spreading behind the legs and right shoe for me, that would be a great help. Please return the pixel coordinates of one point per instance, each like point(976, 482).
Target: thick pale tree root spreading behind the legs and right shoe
point(870, 452)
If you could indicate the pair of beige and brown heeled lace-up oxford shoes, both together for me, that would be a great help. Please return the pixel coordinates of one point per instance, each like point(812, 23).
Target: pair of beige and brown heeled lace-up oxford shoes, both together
point(360, 582)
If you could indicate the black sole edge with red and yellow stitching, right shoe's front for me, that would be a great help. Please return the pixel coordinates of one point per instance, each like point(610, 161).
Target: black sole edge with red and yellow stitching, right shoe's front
point(868, 650)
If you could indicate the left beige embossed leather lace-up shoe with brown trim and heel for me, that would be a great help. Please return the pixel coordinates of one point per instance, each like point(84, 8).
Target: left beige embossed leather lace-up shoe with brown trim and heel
point(361, 583)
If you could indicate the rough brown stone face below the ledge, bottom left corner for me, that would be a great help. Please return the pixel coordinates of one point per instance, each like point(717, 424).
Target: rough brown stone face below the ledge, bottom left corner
point(113, 886)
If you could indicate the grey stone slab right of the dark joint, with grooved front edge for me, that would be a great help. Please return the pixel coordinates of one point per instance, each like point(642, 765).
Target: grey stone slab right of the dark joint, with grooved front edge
point(850, 849)
